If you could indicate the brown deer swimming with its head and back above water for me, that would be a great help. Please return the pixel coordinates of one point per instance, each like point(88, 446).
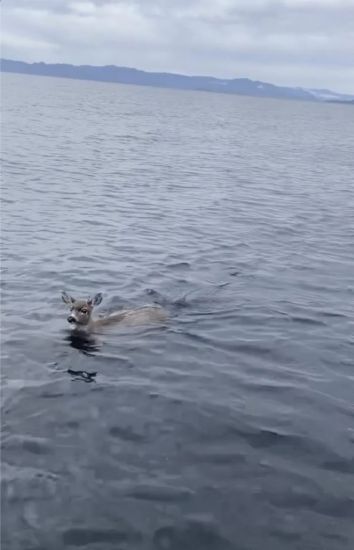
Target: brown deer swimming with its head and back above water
point(80, 317)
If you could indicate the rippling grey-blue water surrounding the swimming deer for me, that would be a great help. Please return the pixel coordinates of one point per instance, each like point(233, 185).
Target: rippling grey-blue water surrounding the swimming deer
point(232, 428)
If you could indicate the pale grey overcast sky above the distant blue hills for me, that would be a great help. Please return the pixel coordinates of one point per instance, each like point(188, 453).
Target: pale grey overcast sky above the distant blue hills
point(307, 43)
